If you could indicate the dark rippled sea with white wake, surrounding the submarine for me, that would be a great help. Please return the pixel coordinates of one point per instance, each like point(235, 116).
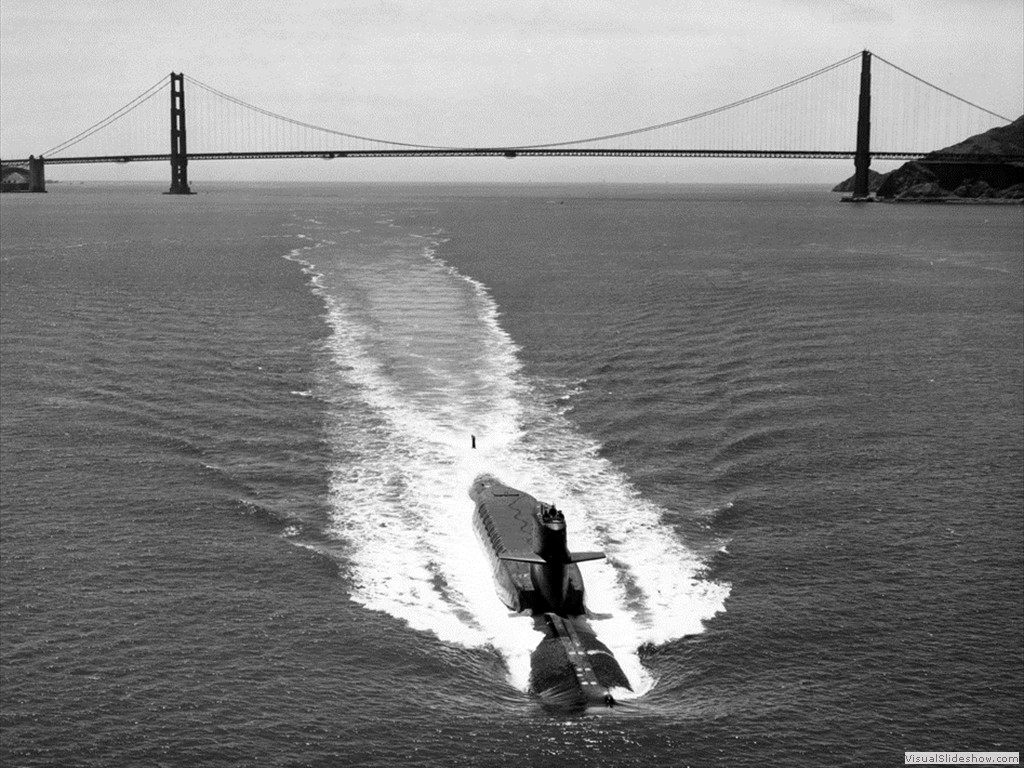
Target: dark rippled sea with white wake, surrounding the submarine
point(236, 456)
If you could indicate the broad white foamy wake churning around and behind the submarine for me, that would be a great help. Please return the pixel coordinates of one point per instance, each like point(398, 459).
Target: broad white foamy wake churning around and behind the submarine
point(421, 365)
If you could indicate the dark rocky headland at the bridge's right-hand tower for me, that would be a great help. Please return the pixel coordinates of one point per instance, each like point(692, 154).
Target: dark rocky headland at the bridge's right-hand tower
point(934, 180)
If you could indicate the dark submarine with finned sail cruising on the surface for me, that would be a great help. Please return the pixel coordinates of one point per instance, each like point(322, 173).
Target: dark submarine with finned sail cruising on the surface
point(536, 573)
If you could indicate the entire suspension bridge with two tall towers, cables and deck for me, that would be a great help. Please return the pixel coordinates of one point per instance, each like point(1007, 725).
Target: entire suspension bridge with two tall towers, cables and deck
point(833, 113)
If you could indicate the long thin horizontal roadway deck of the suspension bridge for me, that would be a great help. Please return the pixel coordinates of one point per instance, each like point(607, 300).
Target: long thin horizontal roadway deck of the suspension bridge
point(514, 152)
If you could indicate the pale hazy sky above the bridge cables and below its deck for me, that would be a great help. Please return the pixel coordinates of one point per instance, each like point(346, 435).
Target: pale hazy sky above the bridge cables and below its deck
point(419, 71)
